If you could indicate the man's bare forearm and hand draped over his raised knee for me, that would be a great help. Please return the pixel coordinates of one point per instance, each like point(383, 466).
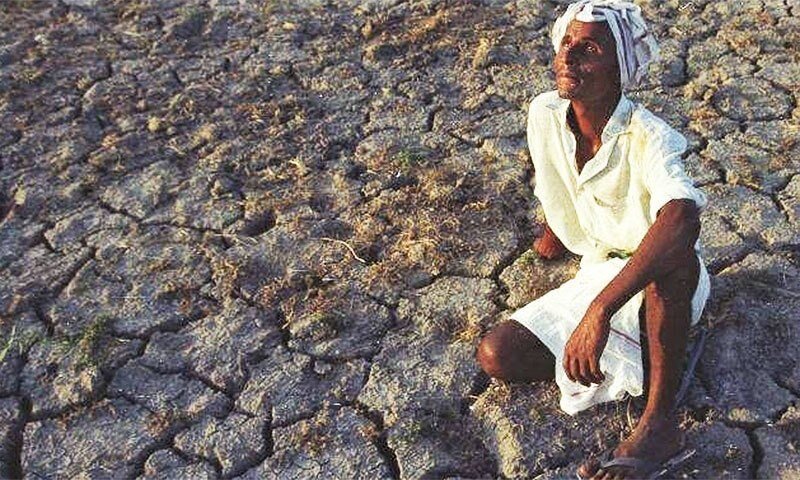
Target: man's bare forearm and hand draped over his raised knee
point(665, 245)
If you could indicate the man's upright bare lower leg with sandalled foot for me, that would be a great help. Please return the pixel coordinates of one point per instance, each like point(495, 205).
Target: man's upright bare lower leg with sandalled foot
point(668, 309)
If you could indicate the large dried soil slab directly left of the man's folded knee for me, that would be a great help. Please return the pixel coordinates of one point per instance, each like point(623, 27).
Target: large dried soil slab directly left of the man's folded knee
point(433, 356)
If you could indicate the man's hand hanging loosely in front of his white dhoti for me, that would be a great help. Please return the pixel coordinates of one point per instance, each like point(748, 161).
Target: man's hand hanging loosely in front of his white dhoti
point(583, 350)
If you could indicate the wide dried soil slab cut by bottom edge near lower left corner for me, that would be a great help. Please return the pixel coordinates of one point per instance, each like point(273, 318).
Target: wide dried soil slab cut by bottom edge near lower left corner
point(109, 439)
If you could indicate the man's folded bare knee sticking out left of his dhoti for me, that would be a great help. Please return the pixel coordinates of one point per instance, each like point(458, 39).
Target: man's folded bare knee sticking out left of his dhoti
point(513, 353)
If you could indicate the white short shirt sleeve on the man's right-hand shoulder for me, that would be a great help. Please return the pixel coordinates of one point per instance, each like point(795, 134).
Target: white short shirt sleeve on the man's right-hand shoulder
point(665, 177)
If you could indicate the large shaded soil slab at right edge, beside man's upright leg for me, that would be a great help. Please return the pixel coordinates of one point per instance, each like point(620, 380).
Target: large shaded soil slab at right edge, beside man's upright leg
point(746, 363)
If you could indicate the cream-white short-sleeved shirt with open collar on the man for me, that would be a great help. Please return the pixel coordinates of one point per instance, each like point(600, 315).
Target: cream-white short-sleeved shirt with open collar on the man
point(614, 200)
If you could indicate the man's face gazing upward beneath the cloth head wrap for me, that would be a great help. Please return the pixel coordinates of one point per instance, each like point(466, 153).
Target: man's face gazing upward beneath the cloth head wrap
point(586, 64)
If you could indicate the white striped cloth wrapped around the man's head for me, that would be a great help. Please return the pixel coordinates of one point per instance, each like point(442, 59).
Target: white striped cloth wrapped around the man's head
point(636, 47)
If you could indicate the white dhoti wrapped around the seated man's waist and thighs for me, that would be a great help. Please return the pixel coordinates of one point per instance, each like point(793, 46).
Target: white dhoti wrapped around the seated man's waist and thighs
point(554, 316)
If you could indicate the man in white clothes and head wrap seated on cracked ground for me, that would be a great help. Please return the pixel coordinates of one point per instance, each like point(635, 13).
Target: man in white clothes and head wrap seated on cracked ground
point(610, 181)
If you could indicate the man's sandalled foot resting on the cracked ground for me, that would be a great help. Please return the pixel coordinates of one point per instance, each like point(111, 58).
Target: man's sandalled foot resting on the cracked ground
point(654, 440)
